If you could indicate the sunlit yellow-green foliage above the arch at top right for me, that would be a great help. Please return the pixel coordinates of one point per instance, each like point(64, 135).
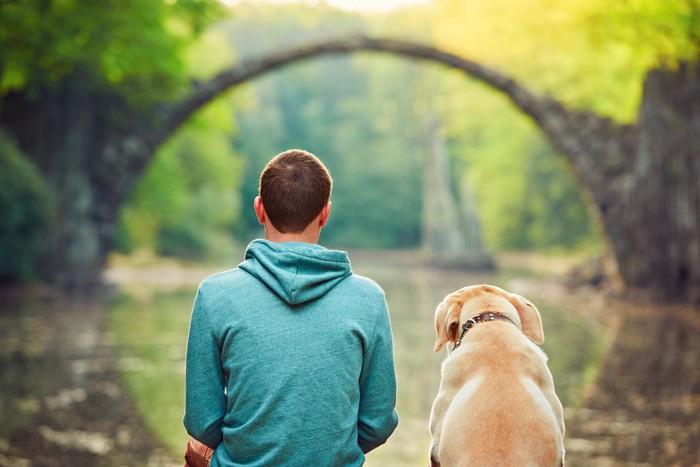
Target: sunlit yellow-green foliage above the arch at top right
point(592, 54)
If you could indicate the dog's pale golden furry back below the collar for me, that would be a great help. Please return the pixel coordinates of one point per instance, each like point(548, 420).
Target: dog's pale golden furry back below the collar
point(503, 414)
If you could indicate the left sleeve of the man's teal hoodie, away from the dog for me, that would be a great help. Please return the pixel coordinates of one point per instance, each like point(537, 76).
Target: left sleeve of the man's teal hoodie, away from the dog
point(205, 399)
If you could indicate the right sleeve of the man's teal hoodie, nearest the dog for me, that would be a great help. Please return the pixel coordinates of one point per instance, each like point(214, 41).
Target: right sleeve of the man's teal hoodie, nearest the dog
point(377, 418)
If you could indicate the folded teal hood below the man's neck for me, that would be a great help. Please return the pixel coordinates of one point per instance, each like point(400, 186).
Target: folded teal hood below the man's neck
point(297, 272)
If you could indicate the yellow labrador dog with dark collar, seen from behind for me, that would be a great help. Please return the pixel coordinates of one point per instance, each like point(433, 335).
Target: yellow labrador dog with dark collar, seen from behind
point(496, 405)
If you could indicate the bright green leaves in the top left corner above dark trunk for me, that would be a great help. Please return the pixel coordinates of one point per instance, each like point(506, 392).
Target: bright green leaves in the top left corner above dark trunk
point(130, 45)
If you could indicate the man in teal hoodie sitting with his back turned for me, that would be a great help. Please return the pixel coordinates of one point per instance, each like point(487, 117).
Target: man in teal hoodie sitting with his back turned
point(289, 356)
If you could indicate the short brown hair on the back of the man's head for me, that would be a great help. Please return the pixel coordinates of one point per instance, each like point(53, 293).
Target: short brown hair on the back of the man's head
point(294, 188)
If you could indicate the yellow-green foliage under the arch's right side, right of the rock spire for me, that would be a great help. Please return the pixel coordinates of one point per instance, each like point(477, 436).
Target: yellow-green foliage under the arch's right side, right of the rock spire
point(527, 195)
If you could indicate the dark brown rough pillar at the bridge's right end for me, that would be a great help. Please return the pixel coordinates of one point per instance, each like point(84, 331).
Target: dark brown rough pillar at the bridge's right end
point(658, 242)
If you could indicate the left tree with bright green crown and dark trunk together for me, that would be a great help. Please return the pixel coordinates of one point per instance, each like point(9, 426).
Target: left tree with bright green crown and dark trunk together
point(80, 84)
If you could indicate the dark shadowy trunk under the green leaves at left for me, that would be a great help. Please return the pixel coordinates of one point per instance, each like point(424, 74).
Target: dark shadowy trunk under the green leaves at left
point(69, 134)
